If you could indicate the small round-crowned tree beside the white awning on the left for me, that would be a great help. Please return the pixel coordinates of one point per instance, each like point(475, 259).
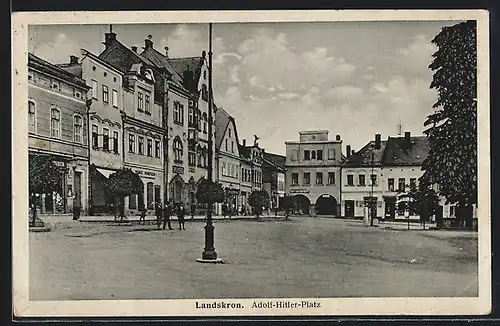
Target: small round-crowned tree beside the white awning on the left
point(122, 183)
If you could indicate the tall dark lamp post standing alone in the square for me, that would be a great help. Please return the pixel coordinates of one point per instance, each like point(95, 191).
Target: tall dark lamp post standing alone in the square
point(209, 254)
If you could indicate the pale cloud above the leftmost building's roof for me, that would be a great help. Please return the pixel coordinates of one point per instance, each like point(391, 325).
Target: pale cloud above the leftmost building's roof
point(57, 50)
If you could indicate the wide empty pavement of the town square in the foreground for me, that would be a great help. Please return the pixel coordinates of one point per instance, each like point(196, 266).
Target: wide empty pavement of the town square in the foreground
point(302, 257)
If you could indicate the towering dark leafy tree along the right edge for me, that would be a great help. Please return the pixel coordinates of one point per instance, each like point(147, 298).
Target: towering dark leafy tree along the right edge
point(452, 128)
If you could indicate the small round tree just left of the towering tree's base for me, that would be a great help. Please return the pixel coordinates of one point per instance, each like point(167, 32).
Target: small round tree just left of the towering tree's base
point(422, 200)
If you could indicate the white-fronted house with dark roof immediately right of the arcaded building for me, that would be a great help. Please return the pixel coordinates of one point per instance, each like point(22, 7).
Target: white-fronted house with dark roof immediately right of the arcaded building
point(361, 179)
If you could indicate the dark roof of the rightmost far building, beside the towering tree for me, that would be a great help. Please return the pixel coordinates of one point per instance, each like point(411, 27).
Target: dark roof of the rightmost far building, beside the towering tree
point(399, 153)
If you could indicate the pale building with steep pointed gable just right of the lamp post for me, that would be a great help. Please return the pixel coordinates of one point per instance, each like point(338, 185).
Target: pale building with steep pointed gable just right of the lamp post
point(227, 159)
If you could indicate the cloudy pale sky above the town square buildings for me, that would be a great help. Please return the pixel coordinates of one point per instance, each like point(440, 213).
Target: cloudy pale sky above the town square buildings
point(355, 79)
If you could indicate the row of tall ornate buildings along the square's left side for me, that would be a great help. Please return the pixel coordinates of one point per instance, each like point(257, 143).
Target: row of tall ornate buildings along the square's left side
point(142, 110)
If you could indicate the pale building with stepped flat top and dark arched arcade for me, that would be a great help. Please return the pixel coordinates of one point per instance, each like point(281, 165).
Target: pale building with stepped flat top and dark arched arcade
point(313, 172)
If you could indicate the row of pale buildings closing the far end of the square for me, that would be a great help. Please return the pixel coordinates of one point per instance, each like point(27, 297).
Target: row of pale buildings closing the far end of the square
point(325, 180)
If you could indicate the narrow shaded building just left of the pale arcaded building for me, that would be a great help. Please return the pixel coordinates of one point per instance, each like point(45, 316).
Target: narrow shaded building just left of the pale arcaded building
point(273, 177)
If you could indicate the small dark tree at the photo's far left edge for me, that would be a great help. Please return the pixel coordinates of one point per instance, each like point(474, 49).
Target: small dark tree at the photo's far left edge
point(44, 177)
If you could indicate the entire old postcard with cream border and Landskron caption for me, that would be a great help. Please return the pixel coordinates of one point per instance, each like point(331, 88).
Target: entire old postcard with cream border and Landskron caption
point(172, 164)
